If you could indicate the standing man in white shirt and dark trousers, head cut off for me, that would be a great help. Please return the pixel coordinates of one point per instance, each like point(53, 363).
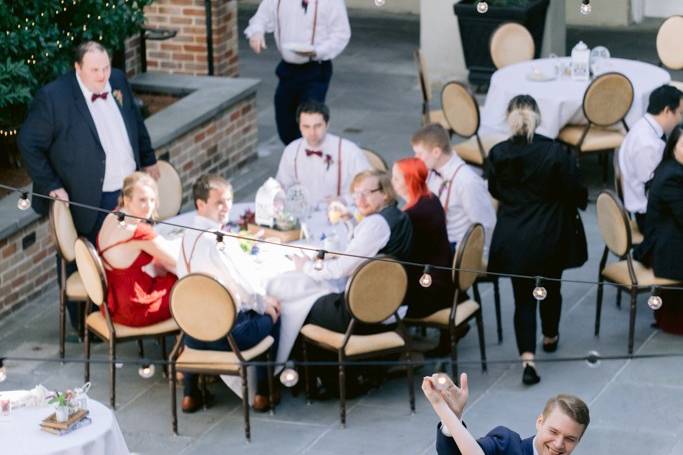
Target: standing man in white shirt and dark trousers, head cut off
point(308, 34)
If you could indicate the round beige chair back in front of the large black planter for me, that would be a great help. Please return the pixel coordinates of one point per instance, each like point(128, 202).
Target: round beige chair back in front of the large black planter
point(511, 43)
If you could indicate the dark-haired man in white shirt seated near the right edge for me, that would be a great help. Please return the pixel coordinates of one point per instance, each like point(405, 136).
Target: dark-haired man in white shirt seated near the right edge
point(642, 149)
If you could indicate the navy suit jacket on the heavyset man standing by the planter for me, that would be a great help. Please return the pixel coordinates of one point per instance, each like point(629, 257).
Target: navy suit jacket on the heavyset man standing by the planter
point(61, 149)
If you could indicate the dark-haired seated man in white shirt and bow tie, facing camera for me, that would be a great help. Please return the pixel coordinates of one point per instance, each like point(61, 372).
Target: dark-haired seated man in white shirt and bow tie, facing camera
point(324, 164)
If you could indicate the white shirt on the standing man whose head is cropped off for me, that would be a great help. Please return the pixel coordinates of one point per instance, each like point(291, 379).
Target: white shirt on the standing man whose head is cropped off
point(291, 24)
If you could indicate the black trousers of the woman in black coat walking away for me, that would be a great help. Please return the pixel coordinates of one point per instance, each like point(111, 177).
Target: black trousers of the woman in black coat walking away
point(525, 311)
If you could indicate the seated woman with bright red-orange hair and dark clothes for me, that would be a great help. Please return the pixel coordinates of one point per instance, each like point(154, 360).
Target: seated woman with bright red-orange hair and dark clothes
point(430, 238)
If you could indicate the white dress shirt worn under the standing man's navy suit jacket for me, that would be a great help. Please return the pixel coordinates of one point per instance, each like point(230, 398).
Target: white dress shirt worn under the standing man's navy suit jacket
point(113, 136)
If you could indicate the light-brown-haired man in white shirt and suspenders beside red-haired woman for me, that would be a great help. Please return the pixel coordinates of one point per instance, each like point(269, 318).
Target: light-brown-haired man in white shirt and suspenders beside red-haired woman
point(462, 192)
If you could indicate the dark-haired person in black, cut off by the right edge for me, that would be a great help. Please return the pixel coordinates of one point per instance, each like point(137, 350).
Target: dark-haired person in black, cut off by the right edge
point(662, 247)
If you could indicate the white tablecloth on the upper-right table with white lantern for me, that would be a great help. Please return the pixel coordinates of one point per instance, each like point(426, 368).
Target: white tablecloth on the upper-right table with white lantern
point(560, 99)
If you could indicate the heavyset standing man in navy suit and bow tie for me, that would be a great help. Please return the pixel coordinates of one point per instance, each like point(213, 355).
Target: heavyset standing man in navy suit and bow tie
point(83, 135)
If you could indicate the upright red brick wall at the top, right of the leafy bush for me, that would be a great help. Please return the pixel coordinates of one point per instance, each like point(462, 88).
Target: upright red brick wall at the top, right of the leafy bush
point(186, 53)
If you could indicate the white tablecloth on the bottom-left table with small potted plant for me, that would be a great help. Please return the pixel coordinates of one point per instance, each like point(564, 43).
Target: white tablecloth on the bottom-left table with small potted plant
point(21, 434)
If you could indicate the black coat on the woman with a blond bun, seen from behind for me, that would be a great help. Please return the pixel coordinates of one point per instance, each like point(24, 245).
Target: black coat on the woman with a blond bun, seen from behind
point(538, 228)
